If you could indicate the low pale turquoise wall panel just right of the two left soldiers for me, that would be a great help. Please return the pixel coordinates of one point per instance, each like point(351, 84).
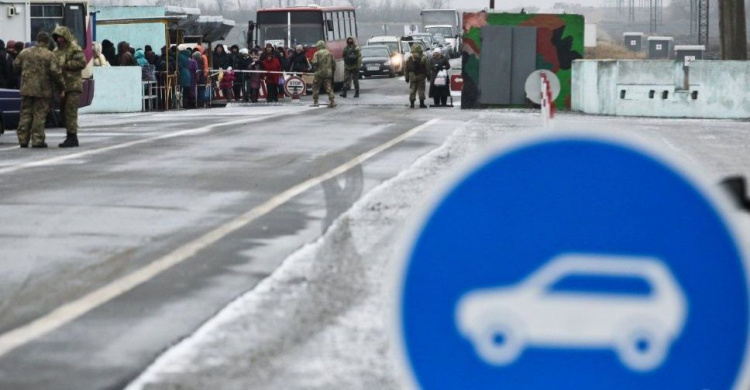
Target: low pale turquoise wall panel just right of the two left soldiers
point(116, 89)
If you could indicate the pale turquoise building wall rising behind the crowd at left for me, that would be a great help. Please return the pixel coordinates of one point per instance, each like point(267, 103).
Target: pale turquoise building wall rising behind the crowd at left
point(139, 35)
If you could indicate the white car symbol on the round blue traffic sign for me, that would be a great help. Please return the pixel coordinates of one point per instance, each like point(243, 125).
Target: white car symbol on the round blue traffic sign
point(630, 304)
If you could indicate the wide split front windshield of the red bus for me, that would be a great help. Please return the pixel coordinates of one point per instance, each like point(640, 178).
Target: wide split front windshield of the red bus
point(306, 28)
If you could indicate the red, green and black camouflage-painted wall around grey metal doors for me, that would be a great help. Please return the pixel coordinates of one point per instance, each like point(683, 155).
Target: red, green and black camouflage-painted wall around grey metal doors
point(559, 42)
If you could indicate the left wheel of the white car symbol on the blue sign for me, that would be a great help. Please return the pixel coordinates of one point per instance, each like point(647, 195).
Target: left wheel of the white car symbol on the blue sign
point(499, 343)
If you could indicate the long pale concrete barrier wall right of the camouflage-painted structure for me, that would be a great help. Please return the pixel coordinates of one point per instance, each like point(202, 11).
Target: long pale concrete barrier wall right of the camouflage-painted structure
point(717, 89)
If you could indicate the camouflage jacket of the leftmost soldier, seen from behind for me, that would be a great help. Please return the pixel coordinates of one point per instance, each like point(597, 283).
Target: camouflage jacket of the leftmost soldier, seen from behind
point(39, 71)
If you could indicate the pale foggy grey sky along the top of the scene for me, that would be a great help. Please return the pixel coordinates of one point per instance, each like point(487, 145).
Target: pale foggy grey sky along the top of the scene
point(390, 16)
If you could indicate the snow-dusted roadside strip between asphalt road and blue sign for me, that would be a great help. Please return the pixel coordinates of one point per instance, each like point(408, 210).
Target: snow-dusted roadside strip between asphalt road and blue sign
point(319, 322)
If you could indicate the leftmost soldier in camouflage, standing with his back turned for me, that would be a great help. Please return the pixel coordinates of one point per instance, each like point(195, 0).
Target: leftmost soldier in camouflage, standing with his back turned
point(39, 70)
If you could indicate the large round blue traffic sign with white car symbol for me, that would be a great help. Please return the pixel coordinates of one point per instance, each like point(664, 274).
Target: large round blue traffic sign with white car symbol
point(575, 262)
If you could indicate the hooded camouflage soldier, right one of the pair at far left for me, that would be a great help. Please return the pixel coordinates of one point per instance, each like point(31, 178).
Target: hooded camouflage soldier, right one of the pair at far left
point(72, 61)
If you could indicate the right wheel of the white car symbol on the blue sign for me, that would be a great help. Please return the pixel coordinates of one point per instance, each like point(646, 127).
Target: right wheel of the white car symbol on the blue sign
point(642, 349)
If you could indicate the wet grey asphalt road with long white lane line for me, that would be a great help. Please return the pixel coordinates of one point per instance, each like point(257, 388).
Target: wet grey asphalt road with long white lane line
point(116, 250)
